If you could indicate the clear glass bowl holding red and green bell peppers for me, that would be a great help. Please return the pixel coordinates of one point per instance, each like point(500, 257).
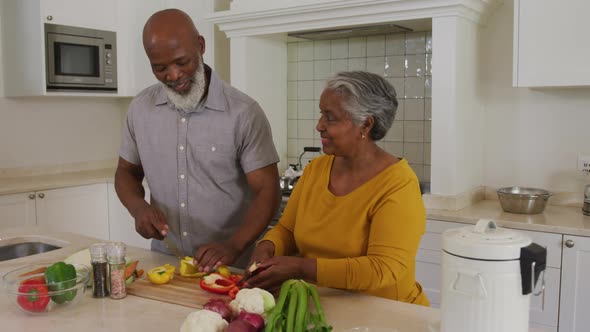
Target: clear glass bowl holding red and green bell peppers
point(39, 297)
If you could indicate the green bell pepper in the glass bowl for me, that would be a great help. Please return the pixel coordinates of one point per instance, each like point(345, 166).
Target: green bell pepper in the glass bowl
point(61, 276)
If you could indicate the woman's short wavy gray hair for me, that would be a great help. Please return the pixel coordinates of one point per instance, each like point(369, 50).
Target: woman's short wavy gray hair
point(366, 94)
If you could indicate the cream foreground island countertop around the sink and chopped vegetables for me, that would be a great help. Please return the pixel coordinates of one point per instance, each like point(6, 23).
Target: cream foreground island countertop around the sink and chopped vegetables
point(343, 309)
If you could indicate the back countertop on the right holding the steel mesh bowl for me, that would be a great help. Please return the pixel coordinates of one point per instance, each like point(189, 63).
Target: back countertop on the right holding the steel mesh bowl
point(554, 219)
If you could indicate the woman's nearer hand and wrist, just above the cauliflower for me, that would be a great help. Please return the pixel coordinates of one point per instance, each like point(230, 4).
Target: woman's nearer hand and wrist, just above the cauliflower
point(280, 268)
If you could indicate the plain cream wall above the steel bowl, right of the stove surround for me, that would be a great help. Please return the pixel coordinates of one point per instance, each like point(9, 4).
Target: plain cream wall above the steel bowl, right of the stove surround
point(532, 137)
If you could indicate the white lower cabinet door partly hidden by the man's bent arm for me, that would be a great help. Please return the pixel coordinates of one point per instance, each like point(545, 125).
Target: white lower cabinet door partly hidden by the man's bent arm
point(121, 224)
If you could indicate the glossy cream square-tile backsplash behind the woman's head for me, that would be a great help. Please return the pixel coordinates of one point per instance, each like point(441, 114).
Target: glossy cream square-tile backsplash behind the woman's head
point(404, 59)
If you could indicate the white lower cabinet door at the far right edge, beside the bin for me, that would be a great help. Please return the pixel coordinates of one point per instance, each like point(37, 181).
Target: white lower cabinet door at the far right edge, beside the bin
point(574, 306)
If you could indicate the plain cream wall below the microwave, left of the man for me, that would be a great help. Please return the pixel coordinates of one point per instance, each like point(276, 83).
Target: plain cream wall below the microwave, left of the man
point(37, 132)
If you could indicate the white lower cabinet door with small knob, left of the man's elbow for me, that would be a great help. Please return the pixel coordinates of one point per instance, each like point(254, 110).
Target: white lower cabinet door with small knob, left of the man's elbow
point(82, 210)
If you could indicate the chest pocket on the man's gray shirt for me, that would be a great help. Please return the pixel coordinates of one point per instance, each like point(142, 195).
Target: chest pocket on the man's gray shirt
point(219, 162)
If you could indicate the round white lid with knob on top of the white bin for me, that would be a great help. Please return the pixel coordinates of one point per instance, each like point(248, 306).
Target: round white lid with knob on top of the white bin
point(484, 241)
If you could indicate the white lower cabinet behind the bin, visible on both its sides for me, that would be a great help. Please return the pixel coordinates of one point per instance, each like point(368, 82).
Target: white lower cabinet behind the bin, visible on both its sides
point(544, 310)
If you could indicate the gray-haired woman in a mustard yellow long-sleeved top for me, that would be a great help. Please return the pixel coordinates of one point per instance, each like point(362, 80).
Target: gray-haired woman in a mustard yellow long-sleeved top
point(356, 215)
